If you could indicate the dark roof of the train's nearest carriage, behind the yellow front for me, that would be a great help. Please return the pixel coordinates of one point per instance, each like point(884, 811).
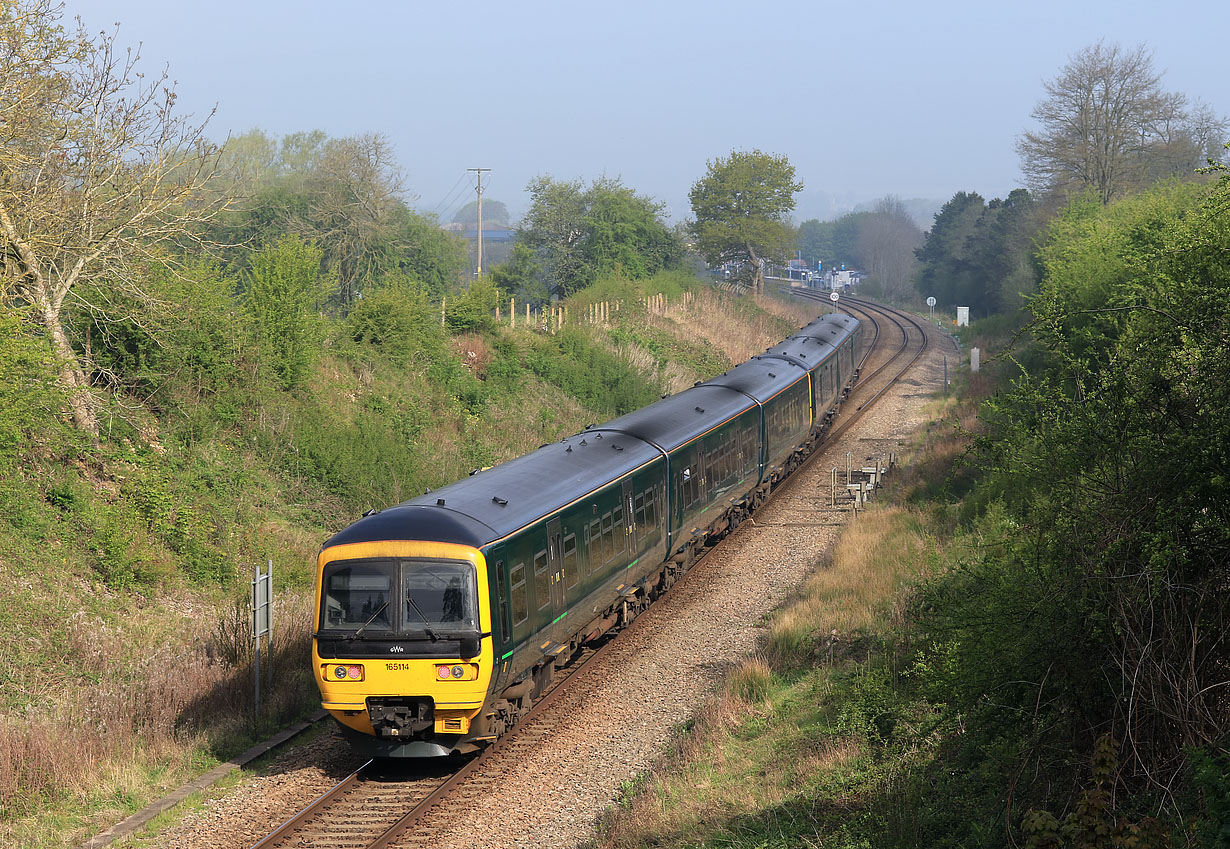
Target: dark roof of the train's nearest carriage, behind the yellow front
point(495, 503)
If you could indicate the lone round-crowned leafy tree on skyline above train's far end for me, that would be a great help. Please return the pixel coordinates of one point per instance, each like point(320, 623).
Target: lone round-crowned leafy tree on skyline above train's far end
point(742, 207)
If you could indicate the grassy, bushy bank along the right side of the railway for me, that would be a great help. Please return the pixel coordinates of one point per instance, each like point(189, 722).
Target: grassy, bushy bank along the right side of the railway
point(1049, 666)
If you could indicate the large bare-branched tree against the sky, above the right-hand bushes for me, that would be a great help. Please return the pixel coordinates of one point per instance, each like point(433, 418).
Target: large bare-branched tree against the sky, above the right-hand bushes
point(1108, 126)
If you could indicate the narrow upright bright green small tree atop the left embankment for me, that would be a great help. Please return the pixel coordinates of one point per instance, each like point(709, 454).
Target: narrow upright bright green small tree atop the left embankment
point(282, 290)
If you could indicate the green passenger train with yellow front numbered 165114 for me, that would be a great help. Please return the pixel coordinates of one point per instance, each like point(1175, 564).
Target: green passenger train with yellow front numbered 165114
point(442, 620)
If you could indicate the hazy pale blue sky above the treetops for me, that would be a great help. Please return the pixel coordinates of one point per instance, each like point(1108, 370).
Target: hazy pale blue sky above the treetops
point(867, 98)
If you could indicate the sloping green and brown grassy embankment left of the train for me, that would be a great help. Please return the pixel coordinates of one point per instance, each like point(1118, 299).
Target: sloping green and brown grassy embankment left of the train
point(124, 570)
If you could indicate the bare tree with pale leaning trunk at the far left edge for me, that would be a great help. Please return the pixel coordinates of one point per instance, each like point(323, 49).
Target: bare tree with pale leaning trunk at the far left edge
point(99, 178)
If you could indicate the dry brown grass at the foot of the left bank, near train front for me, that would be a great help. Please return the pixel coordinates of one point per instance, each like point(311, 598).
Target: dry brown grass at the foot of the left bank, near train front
point(138, 719)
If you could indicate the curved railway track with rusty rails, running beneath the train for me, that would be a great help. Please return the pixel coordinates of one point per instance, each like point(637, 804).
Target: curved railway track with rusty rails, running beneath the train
point(404, 805)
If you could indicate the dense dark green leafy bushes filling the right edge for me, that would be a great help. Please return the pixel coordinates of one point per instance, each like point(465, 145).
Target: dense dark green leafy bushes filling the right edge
point(1095, 602)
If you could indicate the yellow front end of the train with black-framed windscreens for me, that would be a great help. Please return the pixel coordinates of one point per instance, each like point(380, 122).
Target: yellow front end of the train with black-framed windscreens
point(403, 650)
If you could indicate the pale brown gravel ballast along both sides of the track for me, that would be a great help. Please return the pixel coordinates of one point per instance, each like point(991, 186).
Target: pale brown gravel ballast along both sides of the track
point(654, 685)
